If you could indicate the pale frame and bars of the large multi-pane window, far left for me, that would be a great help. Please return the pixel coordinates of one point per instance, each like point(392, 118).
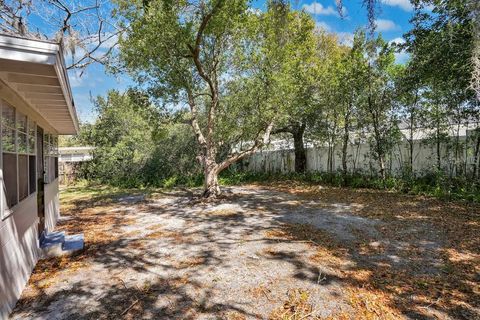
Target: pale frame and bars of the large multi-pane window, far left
point(5, 211)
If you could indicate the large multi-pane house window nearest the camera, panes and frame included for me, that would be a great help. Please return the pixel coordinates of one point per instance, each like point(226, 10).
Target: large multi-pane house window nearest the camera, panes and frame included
point(18, 156)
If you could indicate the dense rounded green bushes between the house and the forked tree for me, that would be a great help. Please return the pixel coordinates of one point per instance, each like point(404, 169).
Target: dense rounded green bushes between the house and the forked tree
point(136, 145)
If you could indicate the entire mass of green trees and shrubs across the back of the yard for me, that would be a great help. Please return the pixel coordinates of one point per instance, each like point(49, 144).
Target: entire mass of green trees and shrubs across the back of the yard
point(230, 72)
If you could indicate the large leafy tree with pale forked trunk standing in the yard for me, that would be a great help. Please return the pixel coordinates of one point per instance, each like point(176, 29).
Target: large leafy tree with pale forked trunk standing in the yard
point(230, 66)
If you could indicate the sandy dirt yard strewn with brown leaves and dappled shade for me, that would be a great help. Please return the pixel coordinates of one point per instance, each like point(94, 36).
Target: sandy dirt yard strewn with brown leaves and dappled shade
point(268, 252)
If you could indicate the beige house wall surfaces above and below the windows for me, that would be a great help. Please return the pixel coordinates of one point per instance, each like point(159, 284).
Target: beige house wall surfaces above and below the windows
point(19, 243)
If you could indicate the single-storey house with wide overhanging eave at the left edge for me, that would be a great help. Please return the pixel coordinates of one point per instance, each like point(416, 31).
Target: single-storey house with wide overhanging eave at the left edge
point(36, 106)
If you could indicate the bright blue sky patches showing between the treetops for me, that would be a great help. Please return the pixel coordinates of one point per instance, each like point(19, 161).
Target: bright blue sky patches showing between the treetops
point(392, 22)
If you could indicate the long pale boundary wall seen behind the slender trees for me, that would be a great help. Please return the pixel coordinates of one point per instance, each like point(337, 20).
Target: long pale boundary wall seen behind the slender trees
point(360, 159)
